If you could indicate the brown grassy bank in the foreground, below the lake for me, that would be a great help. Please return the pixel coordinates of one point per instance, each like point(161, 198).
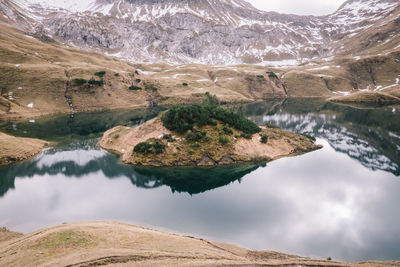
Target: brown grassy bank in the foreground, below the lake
point(120, 244)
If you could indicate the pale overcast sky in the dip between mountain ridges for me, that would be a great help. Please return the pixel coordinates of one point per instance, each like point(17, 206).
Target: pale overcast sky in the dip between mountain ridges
point(299, 7)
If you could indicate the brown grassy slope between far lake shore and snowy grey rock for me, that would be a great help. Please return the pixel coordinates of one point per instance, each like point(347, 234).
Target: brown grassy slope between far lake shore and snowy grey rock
point(43, 73)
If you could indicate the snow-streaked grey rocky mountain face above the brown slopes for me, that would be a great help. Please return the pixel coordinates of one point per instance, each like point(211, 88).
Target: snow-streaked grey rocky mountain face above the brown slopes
point(205, 31)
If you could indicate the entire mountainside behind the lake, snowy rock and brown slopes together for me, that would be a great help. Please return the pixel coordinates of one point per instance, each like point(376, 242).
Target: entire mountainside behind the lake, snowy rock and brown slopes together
point(51, 51)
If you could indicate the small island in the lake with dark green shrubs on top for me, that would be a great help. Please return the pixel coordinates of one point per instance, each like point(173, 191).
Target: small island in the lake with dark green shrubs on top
point(203, 135)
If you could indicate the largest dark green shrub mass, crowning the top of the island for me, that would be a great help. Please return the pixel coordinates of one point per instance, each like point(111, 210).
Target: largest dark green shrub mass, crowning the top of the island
point(183, 118)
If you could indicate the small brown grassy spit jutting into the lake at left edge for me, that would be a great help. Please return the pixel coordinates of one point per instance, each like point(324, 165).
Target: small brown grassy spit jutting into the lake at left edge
point(14, 149)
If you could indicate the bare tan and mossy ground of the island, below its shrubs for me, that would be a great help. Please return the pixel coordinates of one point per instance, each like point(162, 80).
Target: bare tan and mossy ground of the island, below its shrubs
point(211, 152)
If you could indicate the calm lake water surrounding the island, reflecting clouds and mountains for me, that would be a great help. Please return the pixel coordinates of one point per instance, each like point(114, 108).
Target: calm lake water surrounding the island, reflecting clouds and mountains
point(341, 201)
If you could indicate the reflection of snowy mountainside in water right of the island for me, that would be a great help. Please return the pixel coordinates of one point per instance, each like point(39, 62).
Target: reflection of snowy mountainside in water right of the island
point(369, 135)
